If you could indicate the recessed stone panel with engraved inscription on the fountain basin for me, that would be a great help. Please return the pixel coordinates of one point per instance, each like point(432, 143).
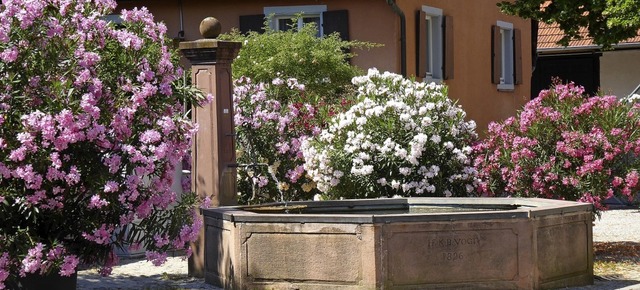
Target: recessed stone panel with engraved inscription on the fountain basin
point(443, 257)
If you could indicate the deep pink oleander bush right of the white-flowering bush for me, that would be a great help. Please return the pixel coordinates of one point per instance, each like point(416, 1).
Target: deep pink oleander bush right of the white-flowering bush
point(564, 145)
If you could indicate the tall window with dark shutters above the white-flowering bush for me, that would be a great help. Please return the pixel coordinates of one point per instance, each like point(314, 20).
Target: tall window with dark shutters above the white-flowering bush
point(434, 57)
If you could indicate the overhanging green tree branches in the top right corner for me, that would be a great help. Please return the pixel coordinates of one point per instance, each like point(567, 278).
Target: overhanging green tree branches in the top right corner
point(607, 21)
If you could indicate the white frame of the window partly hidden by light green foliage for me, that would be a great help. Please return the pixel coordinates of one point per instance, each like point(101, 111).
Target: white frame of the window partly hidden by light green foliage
point(287, 12)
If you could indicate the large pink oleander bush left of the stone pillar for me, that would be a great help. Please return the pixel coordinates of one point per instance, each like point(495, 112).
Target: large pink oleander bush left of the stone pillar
point(92, 124)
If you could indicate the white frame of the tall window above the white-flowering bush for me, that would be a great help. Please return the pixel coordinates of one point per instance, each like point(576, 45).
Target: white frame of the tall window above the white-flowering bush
point(435, 55)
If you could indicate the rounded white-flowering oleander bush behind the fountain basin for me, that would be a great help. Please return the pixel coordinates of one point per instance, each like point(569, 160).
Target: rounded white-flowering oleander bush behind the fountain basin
point(402, 137)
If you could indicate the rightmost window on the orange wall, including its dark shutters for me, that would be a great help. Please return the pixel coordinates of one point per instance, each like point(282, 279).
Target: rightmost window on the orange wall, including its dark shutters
point(506, 60)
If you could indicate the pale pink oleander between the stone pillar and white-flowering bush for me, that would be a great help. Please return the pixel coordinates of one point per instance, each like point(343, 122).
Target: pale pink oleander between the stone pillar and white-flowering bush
point(272, 120)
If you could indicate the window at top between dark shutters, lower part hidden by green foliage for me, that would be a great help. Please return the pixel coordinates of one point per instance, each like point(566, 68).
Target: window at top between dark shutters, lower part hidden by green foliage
point(282, 16)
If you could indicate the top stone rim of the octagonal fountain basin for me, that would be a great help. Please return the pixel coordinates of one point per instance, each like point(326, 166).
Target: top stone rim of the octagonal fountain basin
point(528, 208)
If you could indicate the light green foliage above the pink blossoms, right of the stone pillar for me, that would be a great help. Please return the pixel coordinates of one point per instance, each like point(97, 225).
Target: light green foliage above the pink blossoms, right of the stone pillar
point(322, 64)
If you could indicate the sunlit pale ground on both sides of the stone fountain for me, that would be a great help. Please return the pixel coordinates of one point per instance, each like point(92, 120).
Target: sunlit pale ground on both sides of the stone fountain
point(619, 225)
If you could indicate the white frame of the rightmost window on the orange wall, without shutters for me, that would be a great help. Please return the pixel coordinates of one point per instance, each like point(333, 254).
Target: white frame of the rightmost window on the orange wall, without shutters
point(507, 78)
